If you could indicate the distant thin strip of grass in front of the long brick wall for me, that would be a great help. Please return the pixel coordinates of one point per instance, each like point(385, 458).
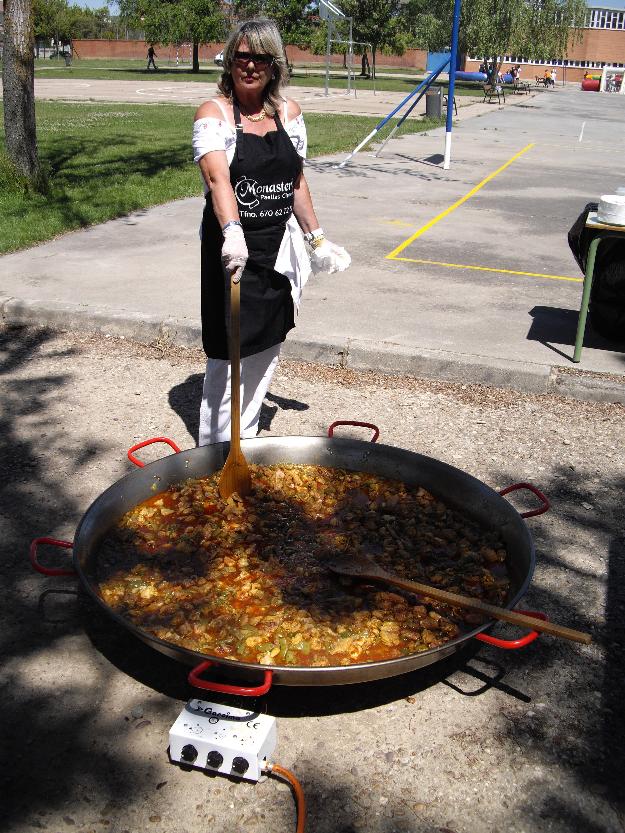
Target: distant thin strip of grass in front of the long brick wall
point(310, 76)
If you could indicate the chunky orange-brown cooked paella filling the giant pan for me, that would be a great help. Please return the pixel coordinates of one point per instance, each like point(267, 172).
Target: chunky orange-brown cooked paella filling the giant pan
point(245, 579)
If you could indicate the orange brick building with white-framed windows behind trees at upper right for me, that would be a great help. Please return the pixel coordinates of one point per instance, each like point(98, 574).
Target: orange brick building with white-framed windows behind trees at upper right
point(602, 44)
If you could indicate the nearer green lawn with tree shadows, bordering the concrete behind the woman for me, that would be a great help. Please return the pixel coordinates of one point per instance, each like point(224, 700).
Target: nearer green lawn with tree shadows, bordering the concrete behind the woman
point(106, 160)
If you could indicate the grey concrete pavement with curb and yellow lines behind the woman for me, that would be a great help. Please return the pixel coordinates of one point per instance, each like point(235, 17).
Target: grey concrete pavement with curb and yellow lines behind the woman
point(487, 292)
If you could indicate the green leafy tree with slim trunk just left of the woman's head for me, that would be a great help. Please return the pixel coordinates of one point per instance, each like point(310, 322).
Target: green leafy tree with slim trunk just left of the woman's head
point(176, 21)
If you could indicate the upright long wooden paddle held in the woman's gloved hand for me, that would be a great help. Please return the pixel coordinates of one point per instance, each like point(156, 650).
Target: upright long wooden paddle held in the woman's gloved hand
point(235, 475)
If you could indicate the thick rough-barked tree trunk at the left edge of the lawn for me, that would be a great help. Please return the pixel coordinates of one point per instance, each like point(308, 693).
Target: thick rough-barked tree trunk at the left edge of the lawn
point(18, 80)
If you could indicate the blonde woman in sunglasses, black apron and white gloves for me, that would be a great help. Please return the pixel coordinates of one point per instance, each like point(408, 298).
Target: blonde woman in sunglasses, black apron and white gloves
point(250, 143)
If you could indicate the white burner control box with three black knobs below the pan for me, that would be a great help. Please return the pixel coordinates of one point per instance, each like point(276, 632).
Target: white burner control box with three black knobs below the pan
point(222, 739)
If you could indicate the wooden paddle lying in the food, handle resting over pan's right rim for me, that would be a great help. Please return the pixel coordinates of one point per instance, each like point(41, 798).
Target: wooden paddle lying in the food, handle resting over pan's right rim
point(362, 567)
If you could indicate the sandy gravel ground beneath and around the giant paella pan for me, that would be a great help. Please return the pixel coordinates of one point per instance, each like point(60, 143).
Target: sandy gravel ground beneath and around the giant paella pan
point(527, 741)
